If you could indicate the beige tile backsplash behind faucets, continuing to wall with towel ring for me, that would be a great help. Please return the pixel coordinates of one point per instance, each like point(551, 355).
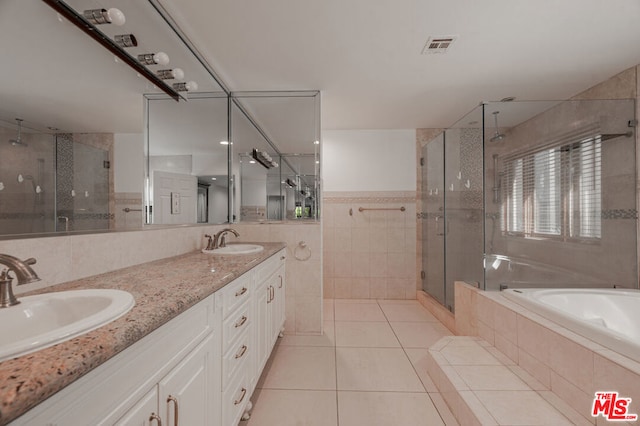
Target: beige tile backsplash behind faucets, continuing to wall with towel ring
point(66, 258)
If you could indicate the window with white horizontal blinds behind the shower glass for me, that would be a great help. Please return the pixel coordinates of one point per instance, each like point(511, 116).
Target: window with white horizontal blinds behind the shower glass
point(554, 192)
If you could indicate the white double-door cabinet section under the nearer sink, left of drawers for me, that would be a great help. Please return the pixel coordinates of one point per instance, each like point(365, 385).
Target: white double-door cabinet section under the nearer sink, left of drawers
point(176, 365)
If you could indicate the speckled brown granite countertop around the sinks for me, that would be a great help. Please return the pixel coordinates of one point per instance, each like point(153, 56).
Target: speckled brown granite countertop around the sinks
point(162, 290)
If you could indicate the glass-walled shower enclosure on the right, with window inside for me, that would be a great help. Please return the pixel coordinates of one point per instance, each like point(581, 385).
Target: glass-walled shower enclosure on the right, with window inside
point(531, 194)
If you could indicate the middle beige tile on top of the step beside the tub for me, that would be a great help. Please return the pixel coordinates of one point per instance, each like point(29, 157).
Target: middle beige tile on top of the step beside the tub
point(490, 377)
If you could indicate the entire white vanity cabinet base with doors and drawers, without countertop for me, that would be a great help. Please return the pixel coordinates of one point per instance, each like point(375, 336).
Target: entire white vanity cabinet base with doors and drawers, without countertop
point(198, 369)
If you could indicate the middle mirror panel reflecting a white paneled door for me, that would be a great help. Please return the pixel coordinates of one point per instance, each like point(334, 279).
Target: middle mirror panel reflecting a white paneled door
point(187, 160)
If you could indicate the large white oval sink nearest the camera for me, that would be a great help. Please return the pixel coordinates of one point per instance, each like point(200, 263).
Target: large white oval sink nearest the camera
point(44, 320)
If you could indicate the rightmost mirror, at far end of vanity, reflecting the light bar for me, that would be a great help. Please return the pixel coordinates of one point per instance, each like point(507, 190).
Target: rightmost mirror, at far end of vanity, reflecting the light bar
point(286, 126)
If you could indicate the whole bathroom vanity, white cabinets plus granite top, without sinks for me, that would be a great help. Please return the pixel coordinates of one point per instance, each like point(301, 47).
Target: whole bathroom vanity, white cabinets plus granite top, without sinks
point(190, 351)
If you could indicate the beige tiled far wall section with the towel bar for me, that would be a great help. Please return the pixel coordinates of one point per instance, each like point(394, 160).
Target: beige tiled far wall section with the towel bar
point(369, 254)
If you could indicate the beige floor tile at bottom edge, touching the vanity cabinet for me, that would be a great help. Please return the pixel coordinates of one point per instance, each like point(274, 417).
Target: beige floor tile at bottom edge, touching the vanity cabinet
point(294, 408)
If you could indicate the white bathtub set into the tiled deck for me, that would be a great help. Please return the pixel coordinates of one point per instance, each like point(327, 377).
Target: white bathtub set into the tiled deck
point(609, 317)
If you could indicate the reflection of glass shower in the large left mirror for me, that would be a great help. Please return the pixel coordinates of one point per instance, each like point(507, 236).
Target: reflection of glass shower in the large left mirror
point(52, 182)
